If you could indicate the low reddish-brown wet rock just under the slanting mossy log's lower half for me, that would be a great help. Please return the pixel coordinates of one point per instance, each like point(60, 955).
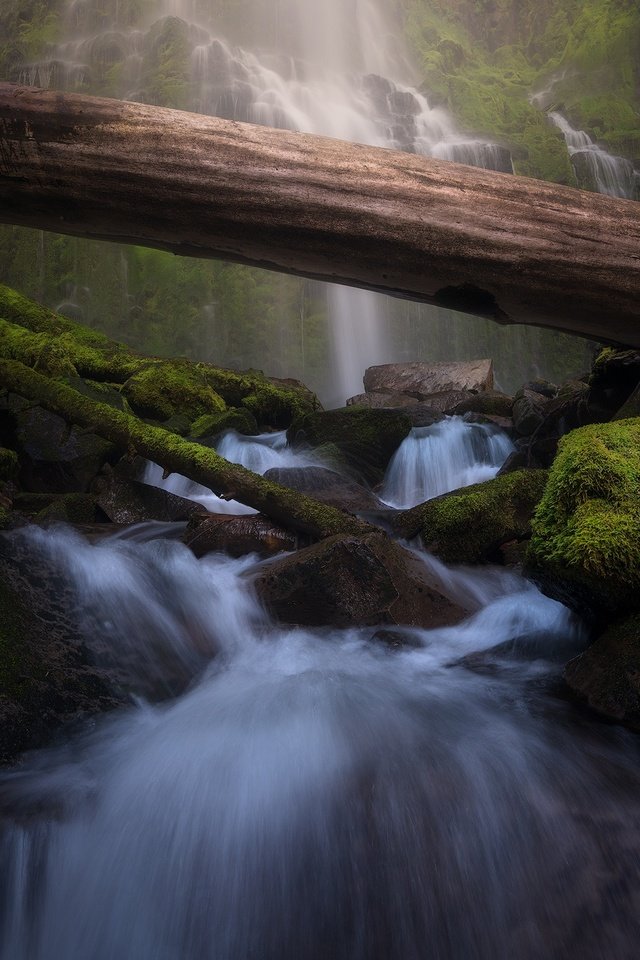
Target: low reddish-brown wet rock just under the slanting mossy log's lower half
point(237, 536)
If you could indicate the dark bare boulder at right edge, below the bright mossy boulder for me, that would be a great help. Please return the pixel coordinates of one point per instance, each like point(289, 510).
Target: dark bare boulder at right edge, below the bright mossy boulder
point(607, 674)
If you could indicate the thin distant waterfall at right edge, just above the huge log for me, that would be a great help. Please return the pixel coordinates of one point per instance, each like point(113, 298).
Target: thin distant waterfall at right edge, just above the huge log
point(596, 169)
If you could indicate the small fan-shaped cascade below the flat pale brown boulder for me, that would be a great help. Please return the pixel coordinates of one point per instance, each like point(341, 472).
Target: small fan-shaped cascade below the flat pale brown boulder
point(445, 456)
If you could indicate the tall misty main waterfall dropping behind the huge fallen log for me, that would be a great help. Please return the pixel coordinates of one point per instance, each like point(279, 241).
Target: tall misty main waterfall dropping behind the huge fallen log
point(332, 74)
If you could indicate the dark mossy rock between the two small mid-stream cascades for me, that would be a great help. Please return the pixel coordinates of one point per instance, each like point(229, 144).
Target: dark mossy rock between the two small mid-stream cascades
point(366, 438)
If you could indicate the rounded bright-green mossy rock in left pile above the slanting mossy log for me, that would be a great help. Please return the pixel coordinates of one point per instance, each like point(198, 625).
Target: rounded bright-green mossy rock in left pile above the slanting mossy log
point(165, 388)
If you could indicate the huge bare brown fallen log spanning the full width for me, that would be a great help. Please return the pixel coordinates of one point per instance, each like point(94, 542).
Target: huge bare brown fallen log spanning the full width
point(517, 250)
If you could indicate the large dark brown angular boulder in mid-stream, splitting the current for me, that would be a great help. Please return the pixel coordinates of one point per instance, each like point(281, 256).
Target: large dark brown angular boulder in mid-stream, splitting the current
point(352, 581)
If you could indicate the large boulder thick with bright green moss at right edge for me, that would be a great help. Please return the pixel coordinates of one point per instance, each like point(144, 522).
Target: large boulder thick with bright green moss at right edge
point(585, 548)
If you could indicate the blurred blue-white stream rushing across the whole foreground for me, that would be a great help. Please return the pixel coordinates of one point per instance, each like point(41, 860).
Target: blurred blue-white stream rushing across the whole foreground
point(315, 794)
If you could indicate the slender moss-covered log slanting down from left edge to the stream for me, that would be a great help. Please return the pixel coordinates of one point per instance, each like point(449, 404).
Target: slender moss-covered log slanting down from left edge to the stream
point(290, 509)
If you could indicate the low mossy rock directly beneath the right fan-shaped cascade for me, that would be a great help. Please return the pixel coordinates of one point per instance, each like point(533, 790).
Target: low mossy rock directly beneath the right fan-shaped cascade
point(470, 524)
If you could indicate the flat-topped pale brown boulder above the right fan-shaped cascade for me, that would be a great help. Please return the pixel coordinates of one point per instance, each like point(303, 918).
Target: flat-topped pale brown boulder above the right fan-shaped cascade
point(421, 379)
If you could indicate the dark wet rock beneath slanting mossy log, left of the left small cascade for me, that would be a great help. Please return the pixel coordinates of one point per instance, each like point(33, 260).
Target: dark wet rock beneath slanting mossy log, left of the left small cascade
point(130, 501)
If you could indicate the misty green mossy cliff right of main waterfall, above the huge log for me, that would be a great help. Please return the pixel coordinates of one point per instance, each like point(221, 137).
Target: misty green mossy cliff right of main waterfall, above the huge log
point(485, 59)
